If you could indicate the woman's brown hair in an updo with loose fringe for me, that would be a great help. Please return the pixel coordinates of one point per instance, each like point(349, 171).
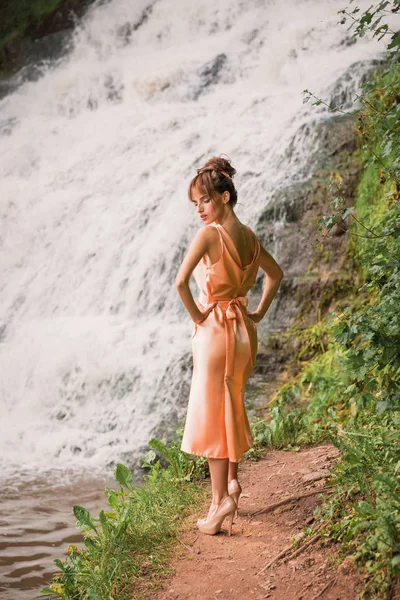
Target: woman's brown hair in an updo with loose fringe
point(215, 177)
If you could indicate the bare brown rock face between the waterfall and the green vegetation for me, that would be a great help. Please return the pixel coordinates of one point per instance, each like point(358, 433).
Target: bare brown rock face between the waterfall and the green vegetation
point(319, 272)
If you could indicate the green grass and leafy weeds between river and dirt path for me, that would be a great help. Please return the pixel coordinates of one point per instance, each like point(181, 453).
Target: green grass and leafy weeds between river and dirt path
point(135, 535)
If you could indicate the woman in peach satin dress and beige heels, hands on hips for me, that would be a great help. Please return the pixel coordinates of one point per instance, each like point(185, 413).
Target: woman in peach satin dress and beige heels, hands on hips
point(224, 257)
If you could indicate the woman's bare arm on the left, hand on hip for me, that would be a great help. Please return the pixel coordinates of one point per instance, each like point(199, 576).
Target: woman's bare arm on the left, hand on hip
point(199, 246)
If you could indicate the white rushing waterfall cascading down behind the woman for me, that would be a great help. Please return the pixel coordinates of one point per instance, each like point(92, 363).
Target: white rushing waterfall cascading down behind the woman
point(95, 160)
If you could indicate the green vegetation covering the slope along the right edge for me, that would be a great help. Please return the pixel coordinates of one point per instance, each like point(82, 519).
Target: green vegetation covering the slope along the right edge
point(349, 391)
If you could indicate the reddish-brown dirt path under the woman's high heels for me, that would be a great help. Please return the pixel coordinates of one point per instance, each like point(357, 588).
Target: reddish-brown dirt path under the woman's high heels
point(233, 568)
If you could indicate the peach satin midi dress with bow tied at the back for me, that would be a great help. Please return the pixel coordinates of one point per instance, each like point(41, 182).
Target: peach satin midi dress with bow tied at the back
point(224, 348)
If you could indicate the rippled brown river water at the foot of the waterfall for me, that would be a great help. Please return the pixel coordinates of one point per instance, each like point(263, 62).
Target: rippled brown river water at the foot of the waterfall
point(37, 525)
